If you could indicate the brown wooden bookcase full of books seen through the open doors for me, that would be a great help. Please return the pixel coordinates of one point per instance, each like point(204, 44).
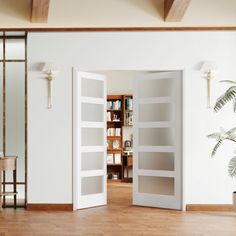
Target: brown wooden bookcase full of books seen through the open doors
point(119, 114)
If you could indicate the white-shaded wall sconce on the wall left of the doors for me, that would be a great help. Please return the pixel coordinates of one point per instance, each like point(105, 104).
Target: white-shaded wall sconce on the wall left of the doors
point(50, 70)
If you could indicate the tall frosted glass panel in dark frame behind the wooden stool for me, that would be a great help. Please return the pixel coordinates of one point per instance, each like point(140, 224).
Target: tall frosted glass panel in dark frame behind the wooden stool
point(15, 115)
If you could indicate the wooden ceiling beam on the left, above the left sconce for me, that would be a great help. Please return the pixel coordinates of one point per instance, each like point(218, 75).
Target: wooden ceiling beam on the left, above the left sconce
point(39, 11)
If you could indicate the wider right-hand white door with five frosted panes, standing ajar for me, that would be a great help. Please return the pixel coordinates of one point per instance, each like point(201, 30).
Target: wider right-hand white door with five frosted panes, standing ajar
point(157, 173)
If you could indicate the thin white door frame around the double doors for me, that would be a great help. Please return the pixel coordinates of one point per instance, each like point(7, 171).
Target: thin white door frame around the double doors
point(183, 97)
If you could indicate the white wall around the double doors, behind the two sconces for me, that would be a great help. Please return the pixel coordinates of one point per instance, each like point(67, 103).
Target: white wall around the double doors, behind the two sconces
point(50, 131)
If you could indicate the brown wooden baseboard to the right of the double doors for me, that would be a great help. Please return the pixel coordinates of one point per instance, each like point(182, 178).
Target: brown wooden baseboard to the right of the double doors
point(209, 207)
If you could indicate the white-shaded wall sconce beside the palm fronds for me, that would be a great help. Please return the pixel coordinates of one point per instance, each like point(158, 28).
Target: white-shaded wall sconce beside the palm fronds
point(209, 68)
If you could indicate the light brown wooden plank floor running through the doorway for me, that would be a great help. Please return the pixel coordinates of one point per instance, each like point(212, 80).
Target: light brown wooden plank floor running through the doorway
point(118, 218)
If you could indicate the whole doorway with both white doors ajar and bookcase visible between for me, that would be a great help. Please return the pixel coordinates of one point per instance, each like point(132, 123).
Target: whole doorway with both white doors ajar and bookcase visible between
point(128, 134)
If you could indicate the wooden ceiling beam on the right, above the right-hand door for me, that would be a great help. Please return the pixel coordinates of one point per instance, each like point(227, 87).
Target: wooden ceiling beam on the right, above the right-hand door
point(174, 10)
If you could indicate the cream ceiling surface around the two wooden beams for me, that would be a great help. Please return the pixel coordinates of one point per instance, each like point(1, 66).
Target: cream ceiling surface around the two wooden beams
point(116, 13)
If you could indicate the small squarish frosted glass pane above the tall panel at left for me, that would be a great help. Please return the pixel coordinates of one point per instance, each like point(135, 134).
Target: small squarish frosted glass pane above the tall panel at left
point(15, 49)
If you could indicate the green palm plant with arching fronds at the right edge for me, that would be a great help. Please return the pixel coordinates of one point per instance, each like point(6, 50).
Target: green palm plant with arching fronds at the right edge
point(228, 96)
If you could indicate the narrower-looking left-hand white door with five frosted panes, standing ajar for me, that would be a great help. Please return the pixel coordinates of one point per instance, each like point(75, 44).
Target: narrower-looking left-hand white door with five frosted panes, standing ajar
point(89, 140)
